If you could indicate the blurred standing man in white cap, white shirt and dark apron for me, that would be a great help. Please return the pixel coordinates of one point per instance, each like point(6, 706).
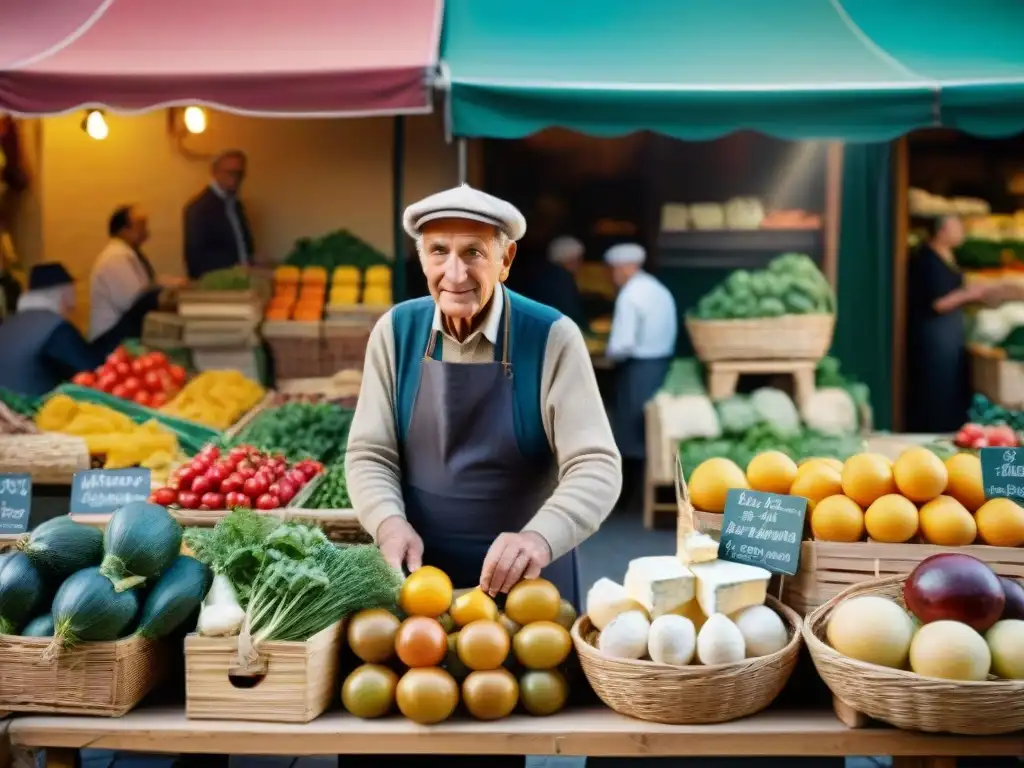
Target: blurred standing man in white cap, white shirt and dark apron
point(643, 344)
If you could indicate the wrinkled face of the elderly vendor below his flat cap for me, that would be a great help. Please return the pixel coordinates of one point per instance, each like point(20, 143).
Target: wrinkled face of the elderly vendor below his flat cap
point(463, 262)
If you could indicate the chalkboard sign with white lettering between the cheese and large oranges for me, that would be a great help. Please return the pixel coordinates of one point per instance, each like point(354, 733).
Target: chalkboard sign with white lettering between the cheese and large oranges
point(763, 530)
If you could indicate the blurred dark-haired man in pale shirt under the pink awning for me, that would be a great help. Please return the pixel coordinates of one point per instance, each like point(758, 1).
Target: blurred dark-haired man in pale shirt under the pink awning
point(122, 285)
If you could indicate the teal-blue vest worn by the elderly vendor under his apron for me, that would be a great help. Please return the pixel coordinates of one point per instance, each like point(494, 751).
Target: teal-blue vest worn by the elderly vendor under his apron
point(412, 322)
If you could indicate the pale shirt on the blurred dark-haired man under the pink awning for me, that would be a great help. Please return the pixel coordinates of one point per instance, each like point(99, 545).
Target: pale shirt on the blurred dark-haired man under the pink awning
point(116, 282)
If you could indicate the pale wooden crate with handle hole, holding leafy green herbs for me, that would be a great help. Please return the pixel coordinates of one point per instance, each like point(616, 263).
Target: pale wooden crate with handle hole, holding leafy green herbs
point(288, 684)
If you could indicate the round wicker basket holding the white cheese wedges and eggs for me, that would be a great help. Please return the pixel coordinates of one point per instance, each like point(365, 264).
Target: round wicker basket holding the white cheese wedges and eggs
point(689, 696)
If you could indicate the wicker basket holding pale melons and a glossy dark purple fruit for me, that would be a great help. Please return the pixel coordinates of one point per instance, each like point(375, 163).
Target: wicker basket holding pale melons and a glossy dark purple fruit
point(904, 699)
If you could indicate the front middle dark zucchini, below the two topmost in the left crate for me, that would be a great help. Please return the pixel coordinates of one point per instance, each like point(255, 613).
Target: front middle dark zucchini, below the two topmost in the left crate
point(89, 609)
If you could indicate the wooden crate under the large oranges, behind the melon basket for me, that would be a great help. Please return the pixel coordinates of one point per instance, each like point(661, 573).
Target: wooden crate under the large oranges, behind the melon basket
point(829, 568)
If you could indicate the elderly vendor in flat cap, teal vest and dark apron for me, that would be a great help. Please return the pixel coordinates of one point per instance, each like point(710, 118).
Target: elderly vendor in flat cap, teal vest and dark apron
point(480, 443)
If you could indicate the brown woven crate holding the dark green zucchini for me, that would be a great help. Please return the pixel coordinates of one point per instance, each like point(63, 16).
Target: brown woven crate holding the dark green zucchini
point(105, 678)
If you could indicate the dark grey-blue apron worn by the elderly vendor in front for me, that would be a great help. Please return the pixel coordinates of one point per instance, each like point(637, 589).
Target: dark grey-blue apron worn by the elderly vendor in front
point(465, 479)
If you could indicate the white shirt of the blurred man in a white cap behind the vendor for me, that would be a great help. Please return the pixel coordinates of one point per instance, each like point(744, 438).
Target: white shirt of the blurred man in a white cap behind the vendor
point(645, 324)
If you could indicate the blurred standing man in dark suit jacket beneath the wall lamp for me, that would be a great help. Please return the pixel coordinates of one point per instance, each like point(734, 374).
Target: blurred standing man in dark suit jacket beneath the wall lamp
point(217, 229)
